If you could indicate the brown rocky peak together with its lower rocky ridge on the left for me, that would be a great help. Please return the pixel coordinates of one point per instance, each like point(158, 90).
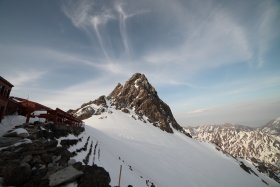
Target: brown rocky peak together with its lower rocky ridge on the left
point(139, 95)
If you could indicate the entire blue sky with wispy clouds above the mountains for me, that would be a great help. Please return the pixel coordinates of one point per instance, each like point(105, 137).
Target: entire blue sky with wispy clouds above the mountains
point(211, 61)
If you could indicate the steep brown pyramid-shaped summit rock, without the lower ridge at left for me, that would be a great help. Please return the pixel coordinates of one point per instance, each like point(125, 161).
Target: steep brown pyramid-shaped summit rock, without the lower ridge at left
point(138, 94)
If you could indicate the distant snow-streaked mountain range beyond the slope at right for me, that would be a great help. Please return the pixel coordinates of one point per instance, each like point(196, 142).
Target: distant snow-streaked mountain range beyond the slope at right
point(260, 145)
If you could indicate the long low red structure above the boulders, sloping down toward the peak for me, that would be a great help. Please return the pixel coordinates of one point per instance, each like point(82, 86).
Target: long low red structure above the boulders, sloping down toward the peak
point(29, 108)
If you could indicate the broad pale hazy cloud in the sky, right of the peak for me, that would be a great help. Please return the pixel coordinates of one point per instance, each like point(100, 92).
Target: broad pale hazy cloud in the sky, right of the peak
point(218, 42)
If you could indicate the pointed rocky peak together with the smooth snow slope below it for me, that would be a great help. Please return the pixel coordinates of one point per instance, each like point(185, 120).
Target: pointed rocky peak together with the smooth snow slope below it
point(133, 131)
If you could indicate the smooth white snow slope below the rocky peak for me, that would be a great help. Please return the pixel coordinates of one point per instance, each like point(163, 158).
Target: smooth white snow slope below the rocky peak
point(151, 156)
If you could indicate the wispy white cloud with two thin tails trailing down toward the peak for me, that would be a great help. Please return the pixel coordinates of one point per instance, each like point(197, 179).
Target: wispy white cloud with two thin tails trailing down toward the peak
point(93, 18)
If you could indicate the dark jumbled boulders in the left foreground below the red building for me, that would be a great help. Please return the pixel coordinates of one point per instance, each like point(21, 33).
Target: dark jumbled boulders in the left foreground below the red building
point(30, 156)
